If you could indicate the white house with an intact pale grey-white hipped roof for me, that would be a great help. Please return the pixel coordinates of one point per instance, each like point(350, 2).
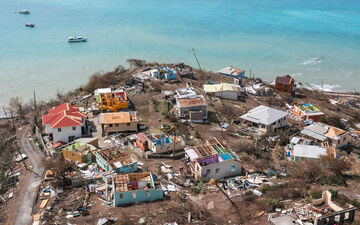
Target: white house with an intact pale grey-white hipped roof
point(265, 119)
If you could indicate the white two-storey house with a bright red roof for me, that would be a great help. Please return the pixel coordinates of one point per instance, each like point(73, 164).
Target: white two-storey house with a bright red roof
point(64, 123)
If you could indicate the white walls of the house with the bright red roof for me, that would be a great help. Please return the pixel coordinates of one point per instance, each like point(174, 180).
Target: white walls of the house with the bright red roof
point(64, 134)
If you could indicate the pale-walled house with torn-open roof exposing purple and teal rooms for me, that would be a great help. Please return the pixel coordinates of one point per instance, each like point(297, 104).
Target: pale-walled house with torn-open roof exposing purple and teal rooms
point(212, 160)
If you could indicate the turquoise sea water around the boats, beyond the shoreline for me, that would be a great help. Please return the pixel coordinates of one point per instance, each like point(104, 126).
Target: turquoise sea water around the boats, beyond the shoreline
point(313, 40)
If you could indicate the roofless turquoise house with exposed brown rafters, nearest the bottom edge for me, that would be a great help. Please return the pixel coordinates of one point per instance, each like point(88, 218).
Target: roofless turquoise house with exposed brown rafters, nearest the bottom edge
point(134, 187)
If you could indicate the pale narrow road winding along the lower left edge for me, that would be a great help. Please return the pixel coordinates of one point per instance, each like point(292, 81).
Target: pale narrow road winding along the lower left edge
point(23, 216)
